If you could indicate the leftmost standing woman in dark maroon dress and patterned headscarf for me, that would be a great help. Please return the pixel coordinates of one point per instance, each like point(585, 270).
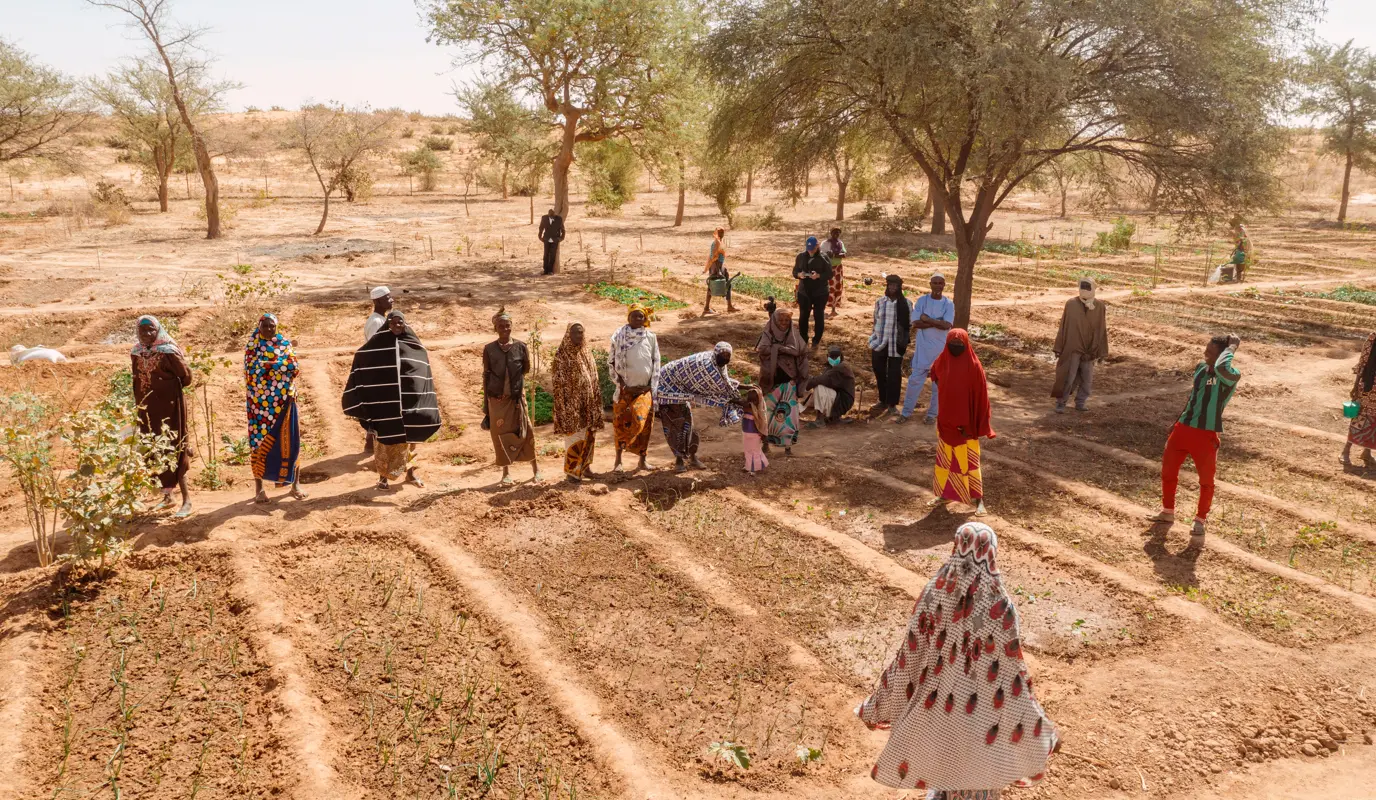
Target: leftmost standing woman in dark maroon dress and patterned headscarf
point(160, 375)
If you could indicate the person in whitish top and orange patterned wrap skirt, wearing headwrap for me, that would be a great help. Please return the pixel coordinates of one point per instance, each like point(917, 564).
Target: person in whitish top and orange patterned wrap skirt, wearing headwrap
point(634, 364)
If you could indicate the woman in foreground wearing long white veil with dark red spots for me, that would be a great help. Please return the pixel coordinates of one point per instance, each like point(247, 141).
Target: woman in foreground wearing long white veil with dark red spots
point(958, 696)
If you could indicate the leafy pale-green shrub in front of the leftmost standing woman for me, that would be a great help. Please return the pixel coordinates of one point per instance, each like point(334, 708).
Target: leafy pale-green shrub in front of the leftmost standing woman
point(116, 469)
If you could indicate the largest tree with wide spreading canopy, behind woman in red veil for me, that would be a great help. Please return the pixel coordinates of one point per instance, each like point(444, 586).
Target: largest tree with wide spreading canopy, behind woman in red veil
point(983, 94)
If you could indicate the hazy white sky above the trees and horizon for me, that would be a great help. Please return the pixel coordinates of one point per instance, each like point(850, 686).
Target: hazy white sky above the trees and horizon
point(356, 52)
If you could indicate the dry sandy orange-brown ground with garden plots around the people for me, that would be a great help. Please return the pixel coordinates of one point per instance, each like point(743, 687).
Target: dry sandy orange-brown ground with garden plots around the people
point(543, 641)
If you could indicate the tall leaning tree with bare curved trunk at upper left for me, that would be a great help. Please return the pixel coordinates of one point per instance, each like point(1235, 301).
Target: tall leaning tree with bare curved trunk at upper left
point(175, 49)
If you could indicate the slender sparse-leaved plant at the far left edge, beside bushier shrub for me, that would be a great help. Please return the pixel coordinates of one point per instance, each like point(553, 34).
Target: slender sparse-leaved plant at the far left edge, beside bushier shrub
point(27, 445)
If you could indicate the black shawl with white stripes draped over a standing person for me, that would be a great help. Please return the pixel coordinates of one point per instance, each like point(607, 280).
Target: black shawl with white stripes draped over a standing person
point(390, 389)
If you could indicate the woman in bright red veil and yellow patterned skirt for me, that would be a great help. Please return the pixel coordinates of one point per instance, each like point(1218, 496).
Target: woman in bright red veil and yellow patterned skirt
point(963, 421)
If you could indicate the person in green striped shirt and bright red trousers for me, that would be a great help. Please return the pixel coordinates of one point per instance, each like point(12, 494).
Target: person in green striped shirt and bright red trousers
point(1196, 433)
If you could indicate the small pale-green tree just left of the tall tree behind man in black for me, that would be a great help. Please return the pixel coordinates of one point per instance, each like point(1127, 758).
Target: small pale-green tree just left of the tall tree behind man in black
point(504, 130)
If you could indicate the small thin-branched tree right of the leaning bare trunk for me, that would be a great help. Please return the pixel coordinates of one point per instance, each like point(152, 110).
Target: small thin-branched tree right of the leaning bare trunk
point(336, 143)
